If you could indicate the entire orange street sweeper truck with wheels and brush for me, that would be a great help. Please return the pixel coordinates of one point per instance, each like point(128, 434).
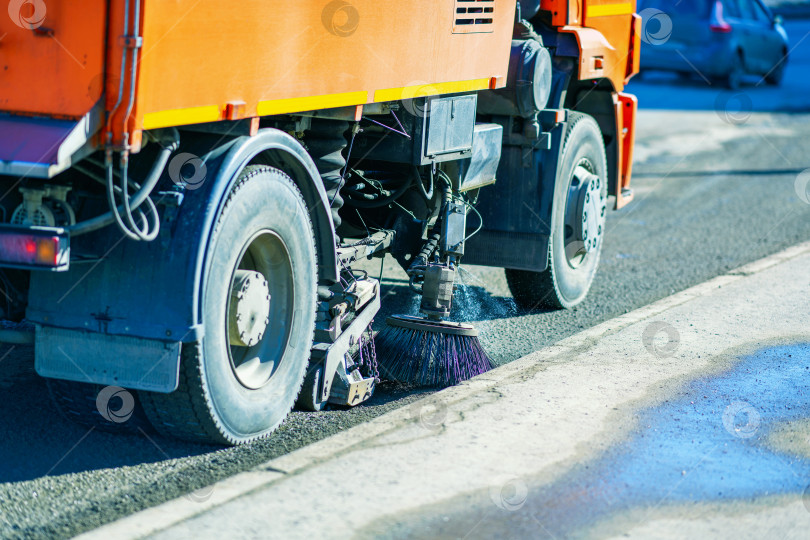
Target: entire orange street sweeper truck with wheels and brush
point(187, 188)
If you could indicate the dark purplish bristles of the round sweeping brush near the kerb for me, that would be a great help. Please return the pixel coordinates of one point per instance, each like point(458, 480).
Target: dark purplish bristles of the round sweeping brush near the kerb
point(429, 359)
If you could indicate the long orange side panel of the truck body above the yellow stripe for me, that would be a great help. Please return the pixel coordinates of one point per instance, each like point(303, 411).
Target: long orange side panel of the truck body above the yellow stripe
point(199, 55)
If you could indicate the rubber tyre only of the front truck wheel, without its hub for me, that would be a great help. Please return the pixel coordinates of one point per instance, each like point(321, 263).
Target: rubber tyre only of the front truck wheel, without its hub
point(560, 285)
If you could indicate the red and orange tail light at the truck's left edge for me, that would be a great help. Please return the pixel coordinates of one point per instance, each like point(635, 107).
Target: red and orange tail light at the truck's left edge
point(34, 248)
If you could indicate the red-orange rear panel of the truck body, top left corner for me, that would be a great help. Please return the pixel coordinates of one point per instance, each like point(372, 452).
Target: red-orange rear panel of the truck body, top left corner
point(52, 56)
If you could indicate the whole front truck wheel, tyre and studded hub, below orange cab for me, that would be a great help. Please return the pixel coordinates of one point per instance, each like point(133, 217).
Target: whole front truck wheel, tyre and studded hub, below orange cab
point(577, 223)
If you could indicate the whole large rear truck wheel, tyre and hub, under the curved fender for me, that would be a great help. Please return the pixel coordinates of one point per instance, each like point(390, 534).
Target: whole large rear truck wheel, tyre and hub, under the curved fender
point(258, 304)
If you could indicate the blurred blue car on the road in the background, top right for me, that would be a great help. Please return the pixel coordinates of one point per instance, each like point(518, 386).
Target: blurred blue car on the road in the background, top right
point(718, 40)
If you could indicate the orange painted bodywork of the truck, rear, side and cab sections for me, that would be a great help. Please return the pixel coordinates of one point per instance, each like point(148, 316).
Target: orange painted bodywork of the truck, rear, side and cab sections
point(205, 61)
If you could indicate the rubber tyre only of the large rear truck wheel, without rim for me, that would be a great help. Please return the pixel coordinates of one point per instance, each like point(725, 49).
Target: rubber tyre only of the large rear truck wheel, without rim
point(211, 405)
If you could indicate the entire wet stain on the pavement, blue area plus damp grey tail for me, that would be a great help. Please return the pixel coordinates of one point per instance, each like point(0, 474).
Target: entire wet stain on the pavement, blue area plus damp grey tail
point(710, 444)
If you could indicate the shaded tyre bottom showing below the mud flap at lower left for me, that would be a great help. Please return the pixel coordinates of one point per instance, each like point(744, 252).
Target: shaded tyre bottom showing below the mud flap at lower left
point(116, 410)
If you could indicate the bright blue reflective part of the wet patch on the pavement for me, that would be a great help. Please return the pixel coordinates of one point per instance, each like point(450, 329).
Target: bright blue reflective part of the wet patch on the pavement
point(712, 442)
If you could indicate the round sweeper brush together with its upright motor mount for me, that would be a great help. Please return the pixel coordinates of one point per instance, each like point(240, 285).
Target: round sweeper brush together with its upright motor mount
point(430, 351)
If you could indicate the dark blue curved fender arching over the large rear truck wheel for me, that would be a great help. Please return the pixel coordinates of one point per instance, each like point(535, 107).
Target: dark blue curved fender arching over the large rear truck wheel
point(176, 259)
